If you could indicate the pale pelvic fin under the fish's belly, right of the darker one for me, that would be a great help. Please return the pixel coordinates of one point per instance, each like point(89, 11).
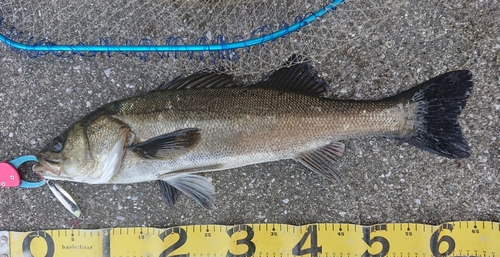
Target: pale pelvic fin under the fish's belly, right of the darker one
point(197, 187)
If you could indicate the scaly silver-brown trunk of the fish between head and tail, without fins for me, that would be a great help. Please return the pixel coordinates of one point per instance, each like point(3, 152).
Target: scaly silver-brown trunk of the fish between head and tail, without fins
point(237, 129)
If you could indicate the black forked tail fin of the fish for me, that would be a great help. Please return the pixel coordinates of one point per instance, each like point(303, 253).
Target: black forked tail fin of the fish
point(438, 103)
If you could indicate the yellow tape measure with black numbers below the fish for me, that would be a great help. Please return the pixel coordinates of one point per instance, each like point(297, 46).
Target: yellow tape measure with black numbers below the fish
point(471, 238)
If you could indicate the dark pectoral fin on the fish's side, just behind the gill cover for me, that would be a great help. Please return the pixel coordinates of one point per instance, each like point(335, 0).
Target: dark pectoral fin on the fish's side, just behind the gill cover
point(168, 145)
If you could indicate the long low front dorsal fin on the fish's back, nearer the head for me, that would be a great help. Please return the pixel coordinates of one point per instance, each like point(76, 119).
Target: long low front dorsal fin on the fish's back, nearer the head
point(199, 80)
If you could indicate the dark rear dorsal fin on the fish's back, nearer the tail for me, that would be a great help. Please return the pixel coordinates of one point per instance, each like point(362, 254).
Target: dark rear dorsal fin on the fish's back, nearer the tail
point(299, 77)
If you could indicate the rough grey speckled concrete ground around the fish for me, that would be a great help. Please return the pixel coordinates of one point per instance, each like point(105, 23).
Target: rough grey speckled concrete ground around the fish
point(383, 180)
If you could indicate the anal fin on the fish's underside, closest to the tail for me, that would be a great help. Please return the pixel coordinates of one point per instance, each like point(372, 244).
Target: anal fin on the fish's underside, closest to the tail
point(324, 160)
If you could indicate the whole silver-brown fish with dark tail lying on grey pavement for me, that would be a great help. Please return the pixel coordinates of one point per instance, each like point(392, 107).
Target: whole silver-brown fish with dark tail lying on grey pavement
point(207, 122)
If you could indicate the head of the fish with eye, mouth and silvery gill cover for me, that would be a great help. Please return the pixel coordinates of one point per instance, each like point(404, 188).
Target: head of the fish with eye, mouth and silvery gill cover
point(90, 151)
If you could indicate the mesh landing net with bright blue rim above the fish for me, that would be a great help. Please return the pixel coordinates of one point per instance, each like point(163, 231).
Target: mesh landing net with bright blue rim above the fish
point(192, 22)
